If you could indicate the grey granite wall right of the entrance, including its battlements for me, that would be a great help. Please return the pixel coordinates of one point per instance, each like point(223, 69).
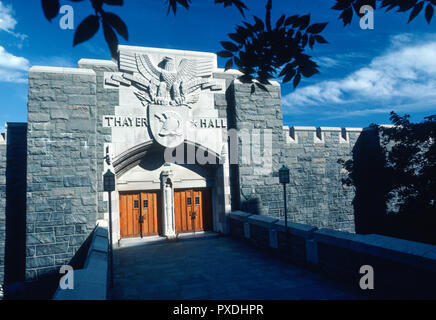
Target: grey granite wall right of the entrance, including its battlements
point(315, 194)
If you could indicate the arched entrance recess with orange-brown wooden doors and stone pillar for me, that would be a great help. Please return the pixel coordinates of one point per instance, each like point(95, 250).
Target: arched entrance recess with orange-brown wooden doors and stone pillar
point(158, 197)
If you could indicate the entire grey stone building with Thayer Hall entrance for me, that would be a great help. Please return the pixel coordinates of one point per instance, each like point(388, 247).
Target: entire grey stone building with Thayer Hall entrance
point(188, 144)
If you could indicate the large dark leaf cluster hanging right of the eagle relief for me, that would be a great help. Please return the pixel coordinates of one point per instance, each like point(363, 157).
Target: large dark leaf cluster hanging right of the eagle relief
point(262, 52)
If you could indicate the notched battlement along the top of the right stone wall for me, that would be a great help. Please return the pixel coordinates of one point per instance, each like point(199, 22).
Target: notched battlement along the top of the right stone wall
point(296, 135)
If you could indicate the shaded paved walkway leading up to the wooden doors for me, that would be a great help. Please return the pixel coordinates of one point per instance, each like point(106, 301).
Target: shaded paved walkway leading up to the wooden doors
point(214, 268)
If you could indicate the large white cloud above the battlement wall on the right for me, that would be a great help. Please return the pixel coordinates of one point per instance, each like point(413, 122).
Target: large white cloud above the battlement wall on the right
point(403, 77)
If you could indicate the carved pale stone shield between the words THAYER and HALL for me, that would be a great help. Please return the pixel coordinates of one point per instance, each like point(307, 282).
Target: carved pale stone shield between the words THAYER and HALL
point(167, 124)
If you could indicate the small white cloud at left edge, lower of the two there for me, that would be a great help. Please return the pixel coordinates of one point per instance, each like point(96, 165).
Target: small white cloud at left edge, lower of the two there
point(12, 68)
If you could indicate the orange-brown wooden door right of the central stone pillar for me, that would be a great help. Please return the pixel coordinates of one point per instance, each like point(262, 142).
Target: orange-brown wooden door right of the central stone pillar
point(193, 210)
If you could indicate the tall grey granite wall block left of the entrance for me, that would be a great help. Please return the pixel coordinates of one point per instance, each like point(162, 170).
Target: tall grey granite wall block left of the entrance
point(62, 195)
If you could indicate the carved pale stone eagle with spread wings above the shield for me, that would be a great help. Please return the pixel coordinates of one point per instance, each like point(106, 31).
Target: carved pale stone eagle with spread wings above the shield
point(165, 83)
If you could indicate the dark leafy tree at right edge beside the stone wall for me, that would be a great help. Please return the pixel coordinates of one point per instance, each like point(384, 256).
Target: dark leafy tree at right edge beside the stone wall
point(409, 166)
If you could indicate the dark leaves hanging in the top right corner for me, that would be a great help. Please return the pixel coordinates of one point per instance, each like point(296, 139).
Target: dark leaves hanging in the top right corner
point(351, 7)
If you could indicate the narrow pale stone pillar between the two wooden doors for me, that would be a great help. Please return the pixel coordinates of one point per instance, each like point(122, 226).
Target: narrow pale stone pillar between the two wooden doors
point(167, 203)
